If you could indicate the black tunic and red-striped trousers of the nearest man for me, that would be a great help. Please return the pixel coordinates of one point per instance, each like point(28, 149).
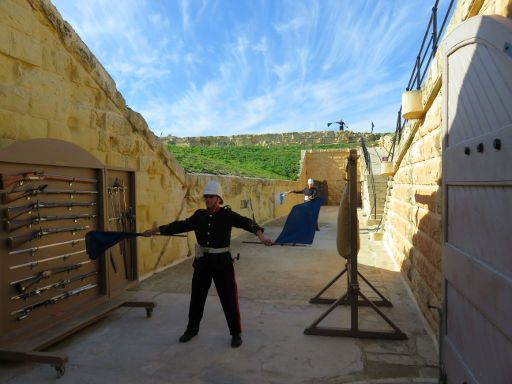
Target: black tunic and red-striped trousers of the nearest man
point(213, 230)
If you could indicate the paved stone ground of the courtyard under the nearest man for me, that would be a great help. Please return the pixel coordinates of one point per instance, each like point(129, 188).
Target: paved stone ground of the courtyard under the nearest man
point(275, 284)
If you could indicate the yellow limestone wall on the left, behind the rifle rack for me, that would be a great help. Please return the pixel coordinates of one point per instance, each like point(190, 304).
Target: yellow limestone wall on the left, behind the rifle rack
point(52, 86)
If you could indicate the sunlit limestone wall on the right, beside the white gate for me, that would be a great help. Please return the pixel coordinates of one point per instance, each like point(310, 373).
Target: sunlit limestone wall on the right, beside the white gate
point(413, 225)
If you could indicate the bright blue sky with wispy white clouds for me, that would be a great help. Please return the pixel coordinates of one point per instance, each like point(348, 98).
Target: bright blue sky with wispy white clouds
point(224, 67)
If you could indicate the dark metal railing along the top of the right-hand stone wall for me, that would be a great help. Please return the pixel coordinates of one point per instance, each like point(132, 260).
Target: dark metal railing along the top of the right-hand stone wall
point(425, 56)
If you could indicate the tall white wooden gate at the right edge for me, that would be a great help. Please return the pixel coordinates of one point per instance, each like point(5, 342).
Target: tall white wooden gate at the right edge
point(477, 191)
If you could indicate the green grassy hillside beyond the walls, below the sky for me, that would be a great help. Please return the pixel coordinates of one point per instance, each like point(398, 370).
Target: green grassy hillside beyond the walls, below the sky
point(272, 162)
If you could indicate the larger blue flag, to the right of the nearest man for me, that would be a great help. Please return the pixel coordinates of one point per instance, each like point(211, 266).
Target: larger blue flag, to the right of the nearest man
point(300, 225)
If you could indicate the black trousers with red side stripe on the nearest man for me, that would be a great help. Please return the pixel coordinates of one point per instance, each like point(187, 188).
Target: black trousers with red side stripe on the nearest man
point(219, 268)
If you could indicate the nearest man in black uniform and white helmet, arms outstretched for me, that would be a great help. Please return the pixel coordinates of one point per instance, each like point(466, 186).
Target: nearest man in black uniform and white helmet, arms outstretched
point(212, 227)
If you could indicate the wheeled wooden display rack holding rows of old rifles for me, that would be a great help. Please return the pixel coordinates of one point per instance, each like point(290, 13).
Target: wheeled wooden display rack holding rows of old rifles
point(52, 193)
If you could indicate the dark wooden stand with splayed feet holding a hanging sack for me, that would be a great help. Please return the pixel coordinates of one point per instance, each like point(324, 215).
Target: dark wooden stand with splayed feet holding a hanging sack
point(353, 297)
